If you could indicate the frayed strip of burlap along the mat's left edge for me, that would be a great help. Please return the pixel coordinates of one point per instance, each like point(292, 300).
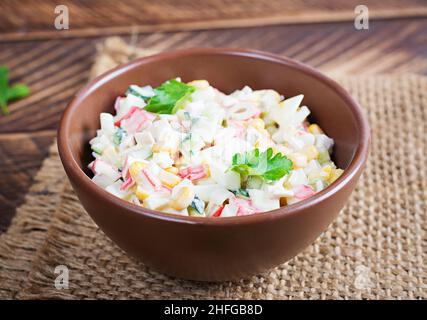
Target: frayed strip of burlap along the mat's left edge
point(28, 230)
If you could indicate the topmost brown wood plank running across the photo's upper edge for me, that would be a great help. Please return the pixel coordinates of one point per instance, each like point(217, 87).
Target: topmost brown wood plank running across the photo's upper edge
point(35, 19)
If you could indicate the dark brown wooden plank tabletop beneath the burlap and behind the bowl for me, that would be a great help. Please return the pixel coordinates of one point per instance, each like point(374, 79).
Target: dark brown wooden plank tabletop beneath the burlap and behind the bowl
point(55, 64)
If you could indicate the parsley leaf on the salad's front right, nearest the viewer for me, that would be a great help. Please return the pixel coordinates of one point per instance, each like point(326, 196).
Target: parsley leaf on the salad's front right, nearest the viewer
point(261, 164)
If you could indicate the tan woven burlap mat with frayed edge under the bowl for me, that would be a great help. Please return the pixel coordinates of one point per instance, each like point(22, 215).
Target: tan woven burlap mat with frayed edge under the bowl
point(375, 249)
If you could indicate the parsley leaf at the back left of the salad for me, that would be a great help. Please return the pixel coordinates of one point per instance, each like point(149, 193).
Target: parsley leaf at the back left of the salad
point(169, 97)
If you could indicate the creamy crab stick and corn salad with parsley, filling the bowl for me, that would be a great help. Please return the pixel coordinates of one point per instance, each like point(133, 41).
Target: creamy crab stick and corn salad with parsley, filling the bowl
point(191, 150)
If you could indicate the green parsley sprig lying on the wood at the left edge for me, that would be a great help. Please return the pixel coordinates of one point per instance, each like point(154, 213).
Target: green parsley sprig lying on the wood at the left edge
point(7, 93)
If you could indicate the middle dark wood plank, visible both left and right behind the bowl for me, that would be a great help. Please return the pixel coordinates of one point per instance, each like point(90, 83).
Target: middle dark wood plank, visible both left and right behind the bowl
point(55, 69)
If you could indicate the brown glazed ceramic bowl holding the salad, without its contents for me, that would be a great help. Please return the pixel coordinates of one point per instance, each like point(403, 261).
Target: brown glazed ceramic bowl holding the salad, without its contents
point(216, 248)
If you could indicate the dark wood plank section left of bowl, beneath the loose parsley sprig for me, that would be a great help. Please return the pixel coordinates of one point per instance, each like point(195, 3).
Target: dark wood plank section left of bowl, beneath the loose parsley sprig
point(54, 70)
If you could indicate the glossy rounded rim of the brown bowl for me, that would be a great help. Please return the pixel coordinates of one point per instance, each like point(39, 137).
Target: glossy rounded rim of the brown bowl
point(353, 169)
